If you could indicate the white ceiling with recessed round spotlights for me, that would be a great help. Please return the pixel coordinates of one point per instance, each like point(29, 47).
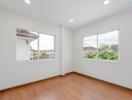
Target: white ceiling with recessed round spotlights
point(61, 11)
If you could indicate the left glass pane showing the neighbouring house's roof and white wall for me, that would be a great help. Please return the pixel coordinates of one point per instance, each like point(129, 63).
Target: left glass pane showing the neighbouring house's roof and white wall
point(26, 45)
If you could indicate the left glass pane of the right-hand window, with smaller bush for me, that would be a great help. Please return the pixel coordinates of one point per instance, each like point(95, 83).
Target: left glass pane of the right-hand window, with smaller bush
point(90, 47)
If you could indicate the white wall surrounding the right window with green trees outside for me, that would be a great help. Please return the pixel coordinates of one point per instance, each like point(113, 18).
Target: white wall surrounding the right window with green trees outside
point(115, 72)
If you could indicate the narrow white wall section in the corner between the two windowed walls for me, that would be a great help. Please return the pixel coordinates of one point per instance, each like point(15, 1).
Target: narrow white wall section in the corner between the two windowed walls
point(66, 55)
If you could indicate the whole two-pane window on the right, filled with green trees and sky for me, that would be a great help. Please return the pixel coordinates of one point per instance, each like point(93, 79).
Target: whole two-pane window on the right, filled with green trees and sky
point(103, 46)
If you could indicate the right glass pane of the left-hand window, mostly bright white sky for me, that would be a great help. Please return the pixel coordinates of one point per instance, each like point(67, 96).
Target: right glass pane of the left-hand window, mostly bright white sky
point(46, 46)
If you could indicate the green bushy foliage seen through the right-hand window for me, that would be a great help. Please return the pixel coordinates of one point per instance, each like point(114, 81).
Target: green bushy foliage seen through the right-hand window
point(109, 52)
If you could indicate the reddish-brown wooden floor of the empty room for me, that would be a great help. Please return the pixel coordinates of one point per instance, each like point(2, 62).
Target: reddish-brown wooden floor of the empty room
point(70, 87)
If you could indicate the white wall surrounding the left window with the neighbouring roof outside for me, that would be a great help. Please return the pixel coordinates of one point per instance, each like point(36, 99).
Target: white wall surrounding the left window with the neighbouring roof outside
point(13, 73)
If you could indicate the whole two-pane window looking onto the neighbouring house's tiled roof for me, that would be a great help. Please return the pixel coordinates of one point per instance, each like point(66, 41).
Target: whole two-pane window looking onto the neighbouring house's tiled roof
point(34, 46)
